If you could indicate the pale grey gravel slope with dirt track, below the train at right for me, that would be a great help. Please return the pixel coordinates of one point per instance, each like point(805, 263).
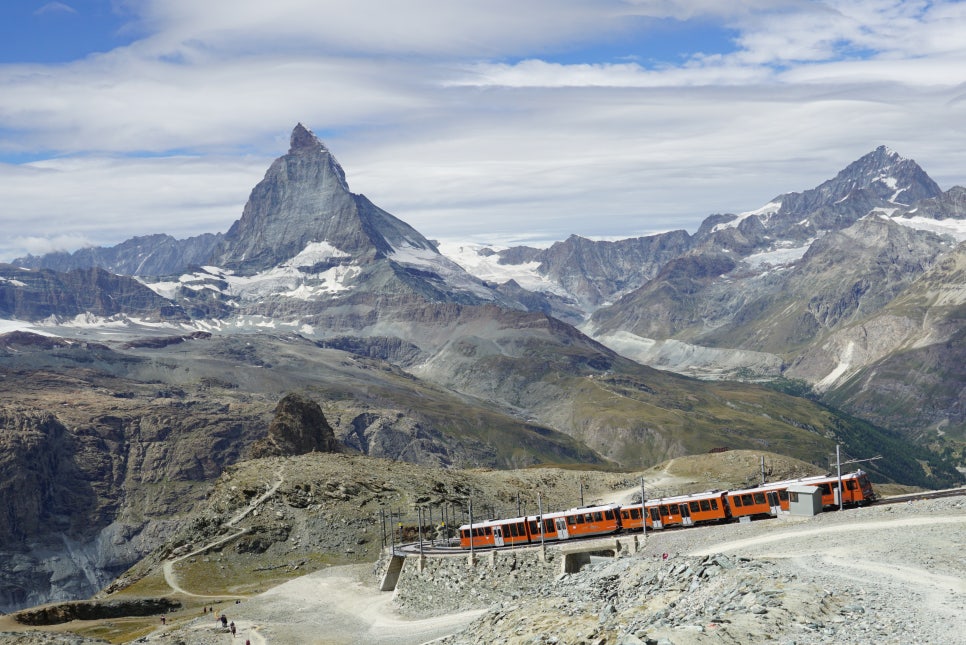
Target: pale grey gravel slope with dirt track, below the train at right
point(886, 574)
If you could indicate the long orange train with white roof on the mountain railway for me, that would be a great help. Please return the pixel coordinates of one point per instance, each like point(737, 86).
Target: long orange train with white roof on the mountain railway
point(766, 500)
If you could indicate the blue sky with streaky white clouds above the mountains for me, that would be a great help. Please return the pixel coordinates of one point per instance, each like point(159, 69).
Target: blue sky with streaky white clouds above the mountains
point(485, 121)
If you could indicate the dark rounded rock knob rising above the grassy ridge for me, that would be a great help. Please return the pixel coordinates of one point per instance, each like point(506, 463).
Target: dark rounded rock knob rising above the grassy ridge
point(299, 427)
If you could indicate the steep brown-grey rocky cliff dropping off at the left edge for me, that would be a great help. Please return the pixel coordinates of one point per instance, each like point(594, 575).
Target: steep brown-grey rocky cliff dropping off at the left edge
point(93, 469)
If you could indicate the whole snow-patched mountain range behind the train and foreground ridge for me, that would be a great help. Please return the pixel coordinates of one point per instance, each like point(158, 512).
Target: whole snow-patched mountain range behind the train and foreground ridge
point(135, 374)
